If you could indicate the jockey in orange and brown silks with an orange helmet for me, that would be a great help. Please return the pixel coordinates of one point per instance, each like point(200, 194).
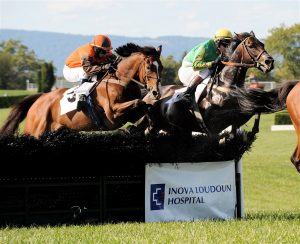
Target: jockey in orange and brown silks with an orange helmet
point(89, 62)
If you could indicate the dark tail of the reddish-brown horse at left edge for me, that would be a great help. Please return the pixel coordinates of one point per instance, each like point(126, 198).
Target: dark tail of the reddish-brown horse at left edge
point(18, 114)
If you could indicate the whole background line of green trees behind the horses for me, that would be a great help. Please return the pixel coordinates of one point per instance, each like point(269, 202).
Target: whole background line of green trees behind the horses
point(18, 63)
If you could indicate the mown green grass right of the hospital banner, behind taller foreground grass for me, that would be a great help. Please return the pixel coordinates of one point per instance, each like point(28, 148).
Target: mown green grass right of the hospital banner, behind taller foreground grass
point(271, 181)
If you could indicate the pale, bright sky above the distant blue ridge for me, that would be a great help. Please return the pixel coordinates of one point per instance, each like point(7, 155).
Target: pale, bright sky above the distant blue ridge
point(149, 18)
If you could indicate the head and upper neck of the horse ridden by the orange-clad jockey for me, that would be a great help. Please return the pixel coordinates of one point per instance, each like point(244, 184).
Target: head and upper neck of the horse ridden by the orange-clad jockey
point(141, 65)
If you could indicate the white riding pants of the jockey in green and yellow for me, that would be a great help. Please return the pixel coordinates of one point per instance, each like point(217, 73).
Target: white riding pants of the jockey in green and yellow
point(186, 73)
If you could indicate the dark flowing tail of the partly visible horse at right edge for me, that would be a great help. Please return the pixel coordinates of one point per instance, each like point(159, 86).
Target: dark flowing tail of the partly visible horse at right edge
point(251, 101)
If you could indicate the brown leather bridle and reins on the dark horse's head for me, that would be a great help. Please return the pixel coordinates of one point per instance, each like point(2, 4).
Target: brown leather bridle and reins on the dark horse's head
point(254, 63)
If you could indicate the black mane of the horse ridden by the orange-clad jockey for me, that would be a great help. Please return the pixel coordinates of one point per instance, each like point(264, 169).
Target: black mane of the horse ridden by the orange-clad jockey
point(130, 48)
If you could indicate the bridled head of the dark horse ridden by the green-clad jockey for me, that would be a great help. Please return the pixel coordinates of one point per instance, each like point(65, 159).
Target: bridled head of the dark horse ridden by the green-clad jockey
point(245, 51)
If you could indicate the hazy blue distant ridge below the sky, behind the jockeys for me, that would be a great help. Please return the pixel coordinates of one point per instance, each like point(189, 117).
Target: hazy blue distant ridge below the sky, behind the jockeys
point(55, 47)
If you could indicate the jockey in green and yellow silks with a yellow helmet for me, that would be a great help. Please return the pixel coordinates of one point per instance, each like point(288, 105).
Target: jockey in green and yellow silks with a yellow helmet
point(200, 62)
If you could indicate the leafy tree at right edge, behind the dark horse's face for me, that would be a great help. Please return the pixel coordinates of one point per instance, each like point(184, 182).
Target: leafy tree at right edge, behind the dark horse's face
point(284, 45)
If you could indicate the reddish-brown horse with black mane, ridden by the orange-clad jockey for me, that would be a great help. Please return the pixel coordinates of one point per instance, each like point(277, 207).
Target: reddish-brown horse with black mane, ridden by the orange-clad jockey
point(114, 97)
